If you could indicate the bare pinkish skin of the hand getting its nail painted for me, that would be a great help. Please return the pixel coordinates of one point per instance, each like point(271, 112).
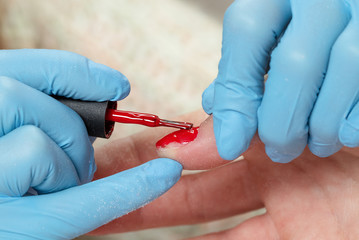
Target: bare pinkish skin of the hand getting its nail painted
point(309, 198)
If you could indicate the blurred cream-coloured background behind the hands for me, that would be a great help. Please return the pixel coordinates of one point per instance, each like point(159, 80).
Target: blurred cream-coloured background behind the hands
point(168, 49)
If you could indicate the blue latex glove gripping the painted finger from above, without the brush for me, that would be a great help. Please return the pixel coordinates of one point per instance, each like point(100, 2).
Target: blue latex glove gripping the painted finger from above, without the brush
point(312, 89)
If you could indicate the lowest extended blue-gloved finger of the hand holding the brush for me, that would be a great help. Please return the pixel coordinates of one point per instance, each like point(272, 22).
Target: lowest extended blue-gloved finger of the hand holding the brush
point(78, 210)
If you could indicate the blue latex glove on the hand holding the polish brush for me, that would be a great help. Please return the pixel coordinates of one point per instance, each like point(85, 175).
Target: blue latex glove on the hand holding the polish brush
point(44, 146)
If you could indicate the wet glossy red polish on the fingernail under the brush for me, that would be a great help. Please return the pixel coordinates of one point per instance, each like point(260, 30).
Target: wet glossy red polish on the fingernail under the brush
point(181, 137)
